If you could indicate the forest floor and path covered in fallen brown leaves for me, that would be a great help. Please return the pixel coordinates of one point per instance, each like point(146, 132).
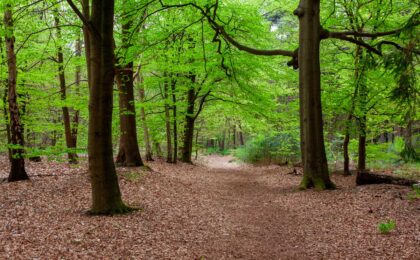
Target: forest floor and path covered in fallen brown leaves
point(217, 209)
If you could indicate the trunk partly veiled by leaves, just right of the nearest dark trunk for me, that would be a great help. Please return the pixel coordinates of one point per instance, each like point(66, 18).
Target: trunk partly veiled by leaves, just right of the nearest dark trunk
point(129, 153)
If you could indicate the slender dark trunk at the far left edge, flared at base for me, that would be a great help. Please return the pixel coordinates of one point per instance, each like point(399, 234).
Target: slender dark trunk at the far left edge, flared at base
point(17, 170)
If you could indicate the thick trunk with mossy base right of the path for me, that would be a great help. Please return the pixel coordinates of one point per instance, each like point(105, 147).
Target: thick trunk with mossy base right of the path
point(315, 167)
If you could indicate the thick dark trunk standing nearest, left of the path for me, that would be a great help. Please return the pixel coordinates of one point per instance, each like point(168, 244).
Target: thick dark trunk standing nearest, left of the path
point(106, 195)
